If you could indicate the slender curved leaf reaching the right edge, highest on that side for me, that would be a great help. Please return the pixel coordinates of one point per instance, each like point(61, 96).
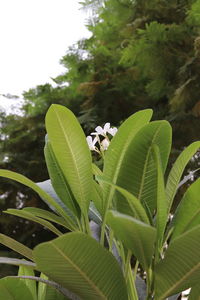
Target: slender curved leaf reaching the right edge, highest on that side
point(177, 171)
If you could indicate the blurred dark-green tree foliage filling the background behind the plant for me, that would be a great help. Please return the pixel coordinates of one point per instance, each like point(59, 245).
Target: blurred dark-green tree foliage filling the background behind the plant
point(140, 54)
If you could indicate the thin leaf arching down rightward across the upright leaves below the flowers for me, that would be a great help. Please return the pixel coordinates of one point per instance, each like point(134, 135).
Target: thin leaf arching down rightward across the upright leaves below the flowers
point(134, 205)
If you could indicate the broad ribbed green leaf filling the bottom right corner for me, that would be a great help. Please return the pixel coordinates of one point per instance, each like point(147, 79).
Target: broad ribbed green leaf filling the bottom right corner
point(180, 269)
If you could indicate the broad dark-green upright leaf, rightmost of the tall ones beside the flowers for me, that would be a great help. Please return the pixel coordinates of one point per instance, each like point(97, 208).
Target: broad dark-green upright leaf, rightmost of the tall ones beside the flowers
point(138, 173)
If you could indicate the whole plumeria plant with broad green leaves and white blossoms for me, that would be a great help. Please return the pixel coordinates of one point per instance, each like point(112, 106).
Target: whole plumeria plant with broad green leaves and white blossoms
point(123, 242)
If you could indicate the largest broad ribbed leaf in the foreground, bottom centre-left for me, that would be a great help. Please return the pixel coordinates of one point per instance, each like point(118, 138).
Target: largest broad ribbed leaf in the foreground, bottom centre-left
point(80, 264)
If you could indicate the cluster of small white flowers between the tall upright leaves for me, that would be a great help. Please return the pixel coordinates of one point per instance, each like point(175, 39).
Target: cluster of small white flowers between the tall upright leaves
point(99, 131)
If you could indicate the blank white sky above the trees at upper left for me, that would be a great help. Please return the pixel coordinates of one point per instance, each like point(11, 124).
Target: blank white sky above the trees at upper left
point(34, 35)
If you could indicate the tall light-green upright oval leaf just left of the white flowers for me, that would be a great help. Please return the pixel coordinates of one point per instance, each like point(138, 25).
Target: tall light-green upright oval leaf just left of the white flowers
point(71, 151)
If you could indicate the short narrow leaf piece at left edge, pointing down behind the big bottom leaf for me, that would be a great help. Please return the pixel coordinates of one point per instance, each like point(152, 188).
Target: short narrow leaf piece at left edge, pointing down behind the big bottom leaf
point(16, 246)
